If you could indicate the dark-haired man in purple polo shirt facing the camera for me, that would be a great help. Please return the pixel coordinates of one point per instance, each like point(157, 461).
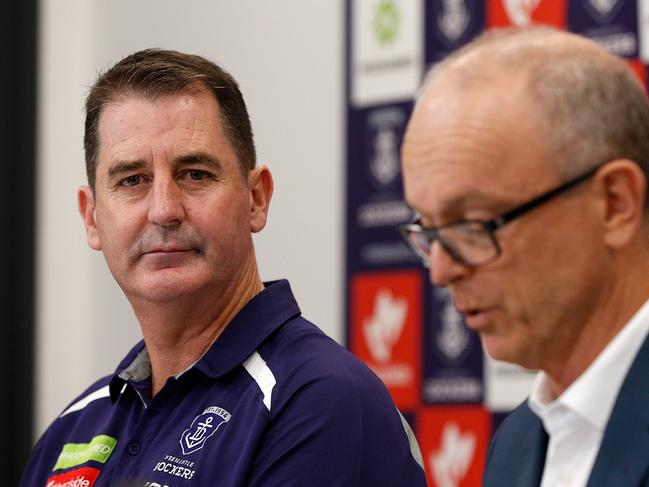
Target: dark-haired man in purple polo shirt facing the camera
point(230, 386)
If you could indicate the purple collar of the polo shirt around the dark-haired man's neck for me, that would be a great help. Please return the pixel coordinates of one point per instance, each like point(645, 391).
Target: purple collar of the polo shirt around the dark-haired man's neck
point(255, 322)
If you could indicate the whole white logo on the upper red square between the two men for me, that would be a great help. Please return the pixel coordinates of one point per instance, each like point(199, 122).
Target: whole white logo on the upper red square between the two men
point(384, 327)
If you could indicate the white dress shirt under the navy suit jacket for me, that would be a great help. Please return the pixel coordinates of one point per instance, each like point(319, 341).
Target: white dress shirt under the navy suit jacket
point(576, 420)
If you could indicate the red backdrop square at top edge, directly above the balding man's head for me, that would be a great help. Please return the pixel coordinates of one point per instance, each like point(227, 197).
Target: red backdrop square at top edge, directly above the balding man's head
point(502, 13)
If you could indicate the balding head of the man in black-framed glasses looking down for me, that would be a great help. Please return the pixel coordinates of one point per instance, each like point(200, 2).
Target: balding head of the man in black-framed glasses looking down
point(532, 243)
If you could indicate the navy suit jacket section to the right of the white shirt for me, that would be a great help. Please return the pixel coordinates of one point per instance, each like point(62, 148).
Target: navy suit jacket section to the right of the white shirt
point(623, 458)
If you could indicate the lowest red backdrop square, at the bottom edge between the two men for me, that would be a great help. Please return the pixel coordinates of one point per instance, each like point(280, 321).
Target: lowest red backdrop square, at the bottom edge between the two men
point(454, 443)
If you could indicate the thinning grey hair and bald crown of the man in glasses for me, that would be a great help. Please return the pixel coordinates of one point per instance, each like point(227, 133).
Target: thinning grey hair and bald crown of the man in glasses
point(588, 103)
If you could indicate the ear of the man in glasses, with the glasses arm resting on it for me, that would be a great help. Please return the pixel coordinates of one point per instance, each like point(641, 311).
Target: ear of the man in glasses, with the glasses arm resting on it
point(622, 186)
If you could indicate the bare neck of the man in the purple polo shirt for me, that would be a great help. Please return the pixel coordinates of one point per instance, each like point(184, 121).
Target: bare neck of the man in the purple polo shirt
point(178, 333)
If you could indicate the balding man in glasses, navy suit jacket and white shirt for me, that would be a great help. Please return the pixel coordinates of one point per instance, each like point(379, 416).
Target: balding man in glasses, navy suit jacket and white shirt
point(526, 162)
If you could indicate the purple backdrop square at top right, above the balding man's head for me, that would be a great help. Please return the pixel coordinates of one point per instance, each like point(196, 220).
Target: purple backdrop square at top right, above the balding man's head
point(611, 23)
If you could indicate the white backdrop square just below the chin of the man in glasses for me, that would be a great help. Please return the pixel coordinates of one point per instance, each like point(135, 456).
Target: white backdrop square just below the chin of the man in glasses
point(506, 385)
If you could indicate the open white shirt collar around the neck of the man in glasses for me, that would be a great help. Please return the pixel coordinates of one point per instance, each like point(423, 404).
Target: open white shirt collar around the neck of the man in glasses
point(593, 394)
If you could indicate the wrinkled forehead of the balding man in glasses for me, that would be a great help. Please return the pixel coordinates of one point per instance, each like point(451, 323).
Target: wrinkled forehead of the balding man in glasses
point(472, 148)
